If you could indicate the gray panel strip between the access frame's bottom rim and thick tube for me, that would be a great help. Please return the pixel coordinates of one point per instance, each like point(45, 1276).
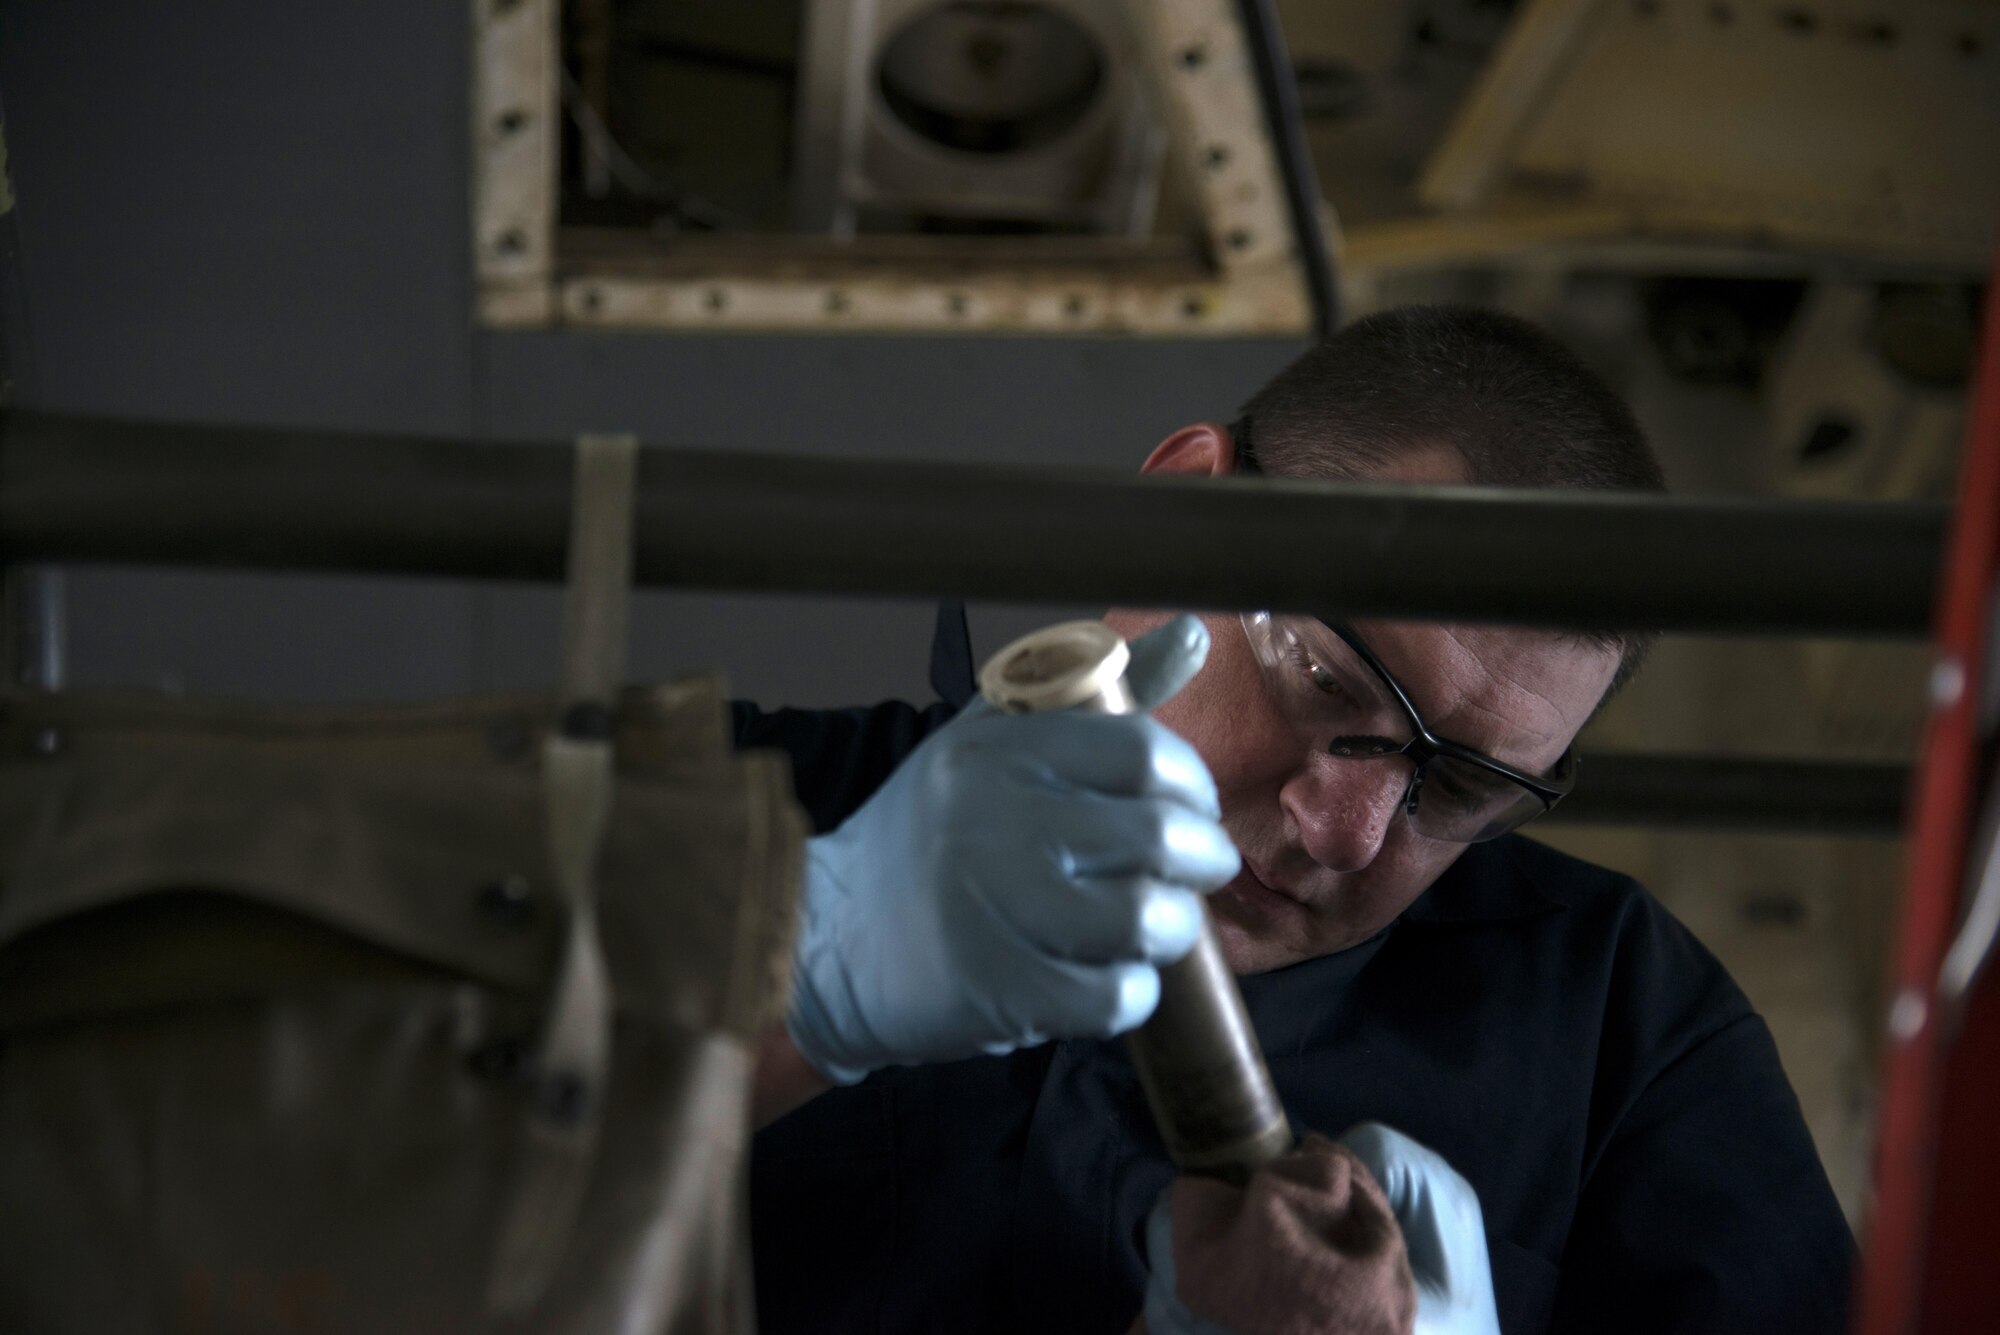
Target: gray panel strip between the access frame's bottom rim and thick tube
point(969, 399)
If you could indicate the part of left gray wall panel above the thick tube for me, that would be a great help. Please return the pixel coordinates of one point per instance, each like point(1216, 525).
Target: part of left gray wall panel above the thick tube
point(245, 211)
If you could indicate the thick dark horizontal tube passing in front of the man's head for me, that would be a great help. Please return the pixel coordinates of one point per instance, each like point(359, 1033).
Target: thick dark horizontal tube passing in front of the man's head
point(91, 491)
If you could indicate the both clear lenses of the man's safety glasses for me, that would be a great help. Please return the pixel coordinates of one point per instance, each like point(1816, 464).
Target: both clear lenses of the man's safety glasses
point(1339, 706)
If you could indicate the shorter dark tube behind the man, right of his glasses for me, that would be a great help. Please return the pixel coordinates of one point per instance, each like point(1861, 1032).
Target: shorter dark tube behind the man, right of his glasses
point(1739, 792)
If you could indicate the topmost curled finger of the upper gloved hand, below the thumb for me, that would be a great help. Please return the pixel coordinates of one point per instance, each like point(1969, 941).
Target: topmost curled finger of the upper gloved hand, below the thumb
point(1119, 754)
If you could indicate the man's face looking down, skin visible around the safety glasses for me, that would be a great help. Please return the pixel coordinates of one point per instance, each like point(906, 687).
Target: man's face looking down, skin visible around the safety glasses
point(1329, 856)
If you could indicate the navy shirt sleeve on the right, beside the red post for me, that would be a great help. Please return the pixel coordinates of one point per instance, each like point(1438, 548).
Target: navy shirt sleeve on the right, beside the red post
point(1705, 1208)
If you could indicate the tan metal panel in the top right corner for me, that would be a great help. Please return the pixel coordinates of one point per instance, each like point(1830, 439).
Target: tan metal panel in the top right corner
point(1849, 127)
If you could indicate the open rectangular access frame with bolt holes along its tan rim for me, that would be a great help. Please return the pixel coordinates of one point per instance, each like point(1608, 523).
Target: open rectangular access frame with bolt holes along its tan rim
point(1133, 187)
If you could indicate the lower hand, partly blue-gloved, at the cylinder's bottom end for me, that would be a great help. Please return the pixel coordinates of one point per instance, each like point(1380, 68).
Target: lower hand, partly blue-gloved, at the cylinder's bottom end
point(1309, 1246)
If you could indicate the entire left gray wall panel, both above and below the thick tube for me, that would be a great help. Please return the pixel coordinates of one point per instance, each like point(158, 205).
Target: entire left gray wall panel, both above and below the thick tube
point(249, 213)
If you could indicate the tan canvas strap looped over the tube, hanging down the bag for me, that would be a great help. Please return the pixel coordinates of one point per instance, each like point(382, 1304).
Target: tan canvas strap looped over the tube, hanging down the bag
point(573, 1056)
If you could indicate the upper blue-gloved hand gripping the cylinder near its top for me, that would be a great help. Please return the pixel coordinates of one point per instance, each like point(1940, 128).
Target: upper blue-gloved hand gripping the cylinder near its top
point(1019, 878)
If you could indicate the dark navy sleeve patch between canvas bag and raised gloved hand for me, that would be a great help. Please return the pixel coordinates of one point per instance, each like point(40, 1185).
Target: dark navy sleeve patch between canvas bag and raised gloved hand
point(839, 756)
